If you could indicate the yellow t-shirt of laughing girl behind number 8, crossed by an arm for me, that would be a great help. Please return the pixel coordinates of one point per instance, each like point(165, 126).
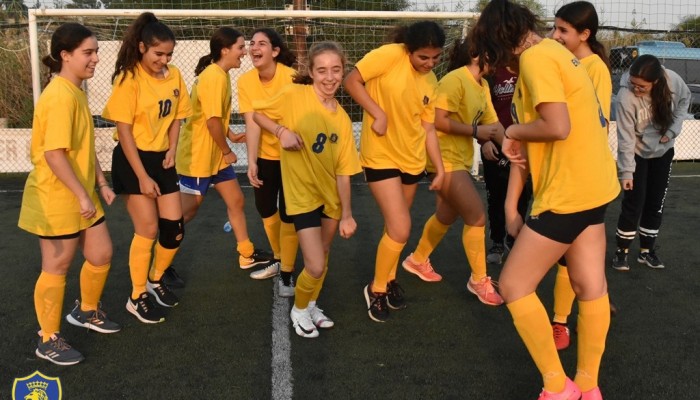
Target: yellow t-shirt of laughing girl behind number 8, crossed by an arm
point(250, 88)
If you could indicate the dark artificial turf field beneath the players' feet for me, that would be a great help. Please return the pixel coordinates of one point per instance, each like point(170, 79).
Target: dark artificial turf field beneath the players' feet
point(230, 337)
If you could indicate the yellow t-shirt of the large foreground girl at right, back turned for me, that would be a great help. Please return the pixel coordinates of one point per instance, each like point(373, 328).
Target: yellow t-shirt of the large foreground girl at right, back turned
point(578, 173)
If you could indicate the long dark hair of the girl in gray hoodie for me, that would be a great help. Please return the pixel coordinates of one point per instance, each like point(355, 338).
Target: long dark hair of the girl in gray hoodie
point(648, 68)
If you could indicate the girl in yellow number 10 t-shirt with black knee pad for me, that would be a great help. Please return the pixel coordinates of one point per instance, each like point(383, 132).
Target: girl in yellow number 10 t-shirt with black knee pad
point(148, 101)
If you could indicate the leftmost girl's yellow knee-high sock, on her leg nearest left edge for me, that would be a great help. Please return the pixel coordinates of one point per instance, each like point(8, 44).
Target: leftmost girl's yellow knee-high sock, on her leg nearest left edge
point(48, 302)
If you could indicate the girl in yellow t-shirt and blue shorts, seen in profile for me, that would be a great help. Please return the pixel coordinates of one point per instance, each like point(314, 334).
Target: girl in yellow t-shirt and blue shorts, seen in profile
point(203, 155)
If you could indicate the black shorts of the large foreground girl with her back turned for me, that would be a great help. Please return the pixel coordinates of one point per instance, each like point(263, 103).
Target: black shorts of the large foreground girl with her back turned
point(565, 228)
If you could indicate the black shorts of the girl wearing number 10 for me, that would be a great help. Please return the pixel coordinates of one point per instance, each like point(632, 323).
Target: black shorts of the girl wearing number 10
point(125, 181)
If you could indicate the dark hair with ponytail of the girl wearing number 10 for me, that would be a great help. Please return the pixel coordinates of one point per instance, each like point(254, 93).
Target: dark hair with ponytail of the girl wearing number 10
point(147, 29)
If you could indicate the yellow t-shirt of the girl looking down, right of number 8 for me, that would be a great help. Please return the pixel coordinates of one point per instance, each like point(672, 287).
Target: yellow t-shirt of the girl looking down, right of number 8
point(407, 97)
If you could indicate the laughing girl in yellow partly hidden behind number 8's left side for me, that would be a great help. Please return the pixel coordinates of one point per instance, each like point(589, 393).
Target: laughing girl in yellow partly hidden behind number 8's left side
point(273, 70)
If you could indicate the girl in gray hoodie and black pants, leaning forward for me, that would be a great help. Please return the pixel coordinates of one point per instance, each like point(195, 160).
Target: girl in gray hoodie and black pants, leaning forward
point(650, 112)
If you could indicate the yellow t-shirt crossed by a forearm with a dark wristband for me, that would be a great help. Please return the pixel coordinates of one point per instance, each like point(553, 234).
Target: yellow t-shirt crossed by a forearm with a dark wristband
point(467, 101)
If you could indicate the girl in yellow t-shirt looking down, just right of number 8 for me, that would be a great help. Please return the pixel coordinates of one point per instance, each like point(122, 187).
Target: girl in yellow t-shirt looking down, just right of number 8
point(396, 87)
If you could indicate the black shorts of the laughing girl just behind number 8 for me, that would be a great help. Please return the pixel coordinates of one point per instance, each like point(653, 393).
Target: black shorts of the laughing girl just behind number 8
point(270, 195)
